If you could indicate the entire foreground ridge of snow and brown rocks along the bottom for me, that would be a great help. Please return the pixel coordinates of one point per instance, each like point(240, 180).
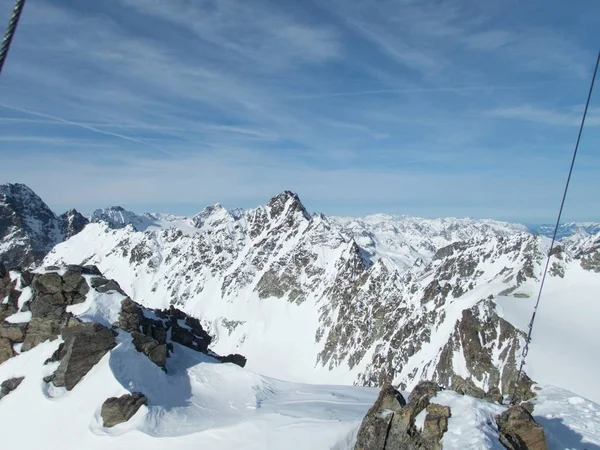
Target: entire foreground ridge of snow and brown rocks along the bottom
point(80, 358)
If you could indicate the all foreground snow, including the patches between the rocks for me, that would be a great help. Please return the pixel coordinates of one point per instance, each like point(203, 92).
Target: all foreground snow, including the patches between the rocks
point(202, 404)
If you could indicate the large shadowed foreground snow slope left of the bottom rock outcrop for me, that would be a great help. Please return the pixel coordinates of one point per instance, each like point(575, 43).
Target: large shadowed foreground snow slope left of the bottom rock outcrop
point(199, 404)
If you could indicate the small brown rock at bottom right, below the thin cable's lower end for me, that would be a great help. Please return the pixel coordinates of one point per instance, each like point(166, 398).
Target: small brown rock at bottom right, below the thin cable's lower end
point(518, 430)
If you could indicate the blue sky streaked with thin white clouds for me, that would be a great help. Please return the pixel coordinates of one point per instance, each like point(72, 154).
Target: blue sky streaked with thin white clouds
point(418, 107)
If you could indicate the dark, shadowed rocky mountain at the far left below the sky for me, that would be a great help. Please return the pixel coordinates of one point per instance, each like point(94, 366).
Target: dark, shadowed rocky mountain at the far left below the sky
point(28, 228)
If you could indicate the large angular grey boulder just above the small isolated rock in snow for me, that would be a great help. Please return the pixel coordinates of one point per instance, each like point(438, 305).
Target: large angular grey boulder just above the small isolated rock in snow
point(85, 345)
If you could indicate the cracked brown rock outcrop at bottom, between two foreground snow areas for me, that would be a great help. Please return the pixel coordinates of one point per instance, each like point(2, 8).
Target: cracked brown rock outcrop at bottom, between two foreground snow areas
point(390, 423)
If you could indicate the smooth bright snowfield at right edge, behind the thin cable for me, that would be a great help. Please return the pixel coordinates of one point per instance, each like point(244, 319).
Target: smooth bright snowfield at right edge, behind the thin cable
point(564, 350)
